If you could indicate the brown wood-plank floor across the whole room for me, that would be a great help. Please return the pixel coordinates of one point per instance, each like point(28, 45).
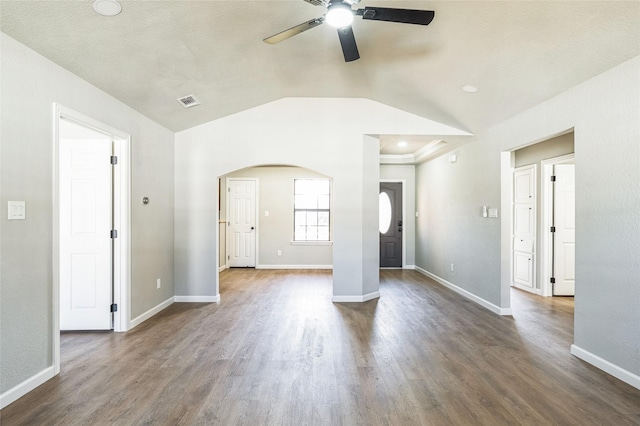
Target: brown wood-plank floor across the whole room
point(277, 351)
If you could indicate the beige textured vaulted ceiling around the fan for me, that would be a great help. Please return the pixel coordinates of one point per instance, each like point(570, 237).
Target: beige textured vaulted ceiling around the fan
point(518, 53)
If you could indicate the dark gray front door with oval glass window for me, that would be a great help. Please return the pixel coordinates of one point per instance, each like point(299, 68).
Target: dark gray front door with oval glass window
point(391, 224)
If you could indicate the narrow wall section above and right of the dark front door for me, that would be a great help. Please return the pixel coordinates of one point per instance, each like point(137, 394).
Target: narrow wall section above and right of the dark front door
point(408, 174)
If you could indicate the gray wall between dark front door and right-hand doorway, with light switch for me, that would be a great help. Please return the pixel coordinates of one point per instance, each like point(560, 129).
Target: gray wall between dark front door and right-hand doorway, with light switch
point(450, 227)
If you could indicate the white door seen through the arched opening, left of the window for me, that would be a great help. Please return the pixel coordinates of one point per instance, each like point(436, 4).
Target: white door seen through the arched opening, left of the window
point(241, 221)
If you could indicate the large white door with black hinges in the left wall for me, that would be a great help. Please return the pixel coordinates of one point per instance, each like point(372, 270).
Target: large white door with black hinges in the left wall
point(85, 241)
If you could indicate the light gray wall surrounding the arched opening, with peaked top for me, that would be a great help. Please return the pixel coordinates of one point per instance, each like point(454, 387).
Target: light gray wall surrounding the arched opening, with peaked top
point(279, 133)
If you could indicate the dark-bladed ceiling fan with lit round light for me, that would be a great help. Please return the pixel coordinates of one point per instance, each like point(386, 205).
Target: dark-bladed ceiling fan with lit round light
point(340, 15)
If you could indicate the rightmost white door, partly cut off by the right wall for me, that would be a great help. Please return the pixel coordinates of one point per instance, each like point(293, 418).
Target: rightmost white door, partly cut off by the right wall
point(564, 222)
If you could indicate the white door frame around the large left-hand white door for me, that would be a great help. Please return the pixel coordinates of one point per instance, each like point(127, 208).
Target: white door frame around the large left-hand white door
point(122, 218)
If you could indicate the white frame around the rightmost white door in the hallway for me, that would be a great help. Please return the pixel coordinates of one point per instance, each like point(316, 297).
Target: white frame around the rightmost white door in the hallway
point(546, 248)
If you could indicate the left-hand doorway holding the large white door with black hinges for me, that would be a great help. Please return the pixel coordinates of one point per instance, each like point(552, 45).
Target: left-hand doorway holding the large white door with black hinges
point(91, 214)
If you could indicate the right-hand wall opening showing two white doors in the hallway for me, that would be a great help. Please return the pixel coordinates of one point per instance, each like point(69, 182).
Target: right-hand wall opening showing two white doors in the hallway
point(540, 189)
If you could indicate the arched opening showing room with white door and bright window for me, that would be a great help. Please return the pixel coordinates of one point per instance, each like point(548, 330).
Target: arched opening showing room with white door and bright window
point(274, 217)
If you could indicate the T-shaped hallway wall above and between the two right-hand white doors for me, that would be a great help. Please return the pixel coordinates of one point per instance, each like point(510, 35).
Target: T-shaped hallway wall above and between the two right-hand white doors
point(534, 154)
